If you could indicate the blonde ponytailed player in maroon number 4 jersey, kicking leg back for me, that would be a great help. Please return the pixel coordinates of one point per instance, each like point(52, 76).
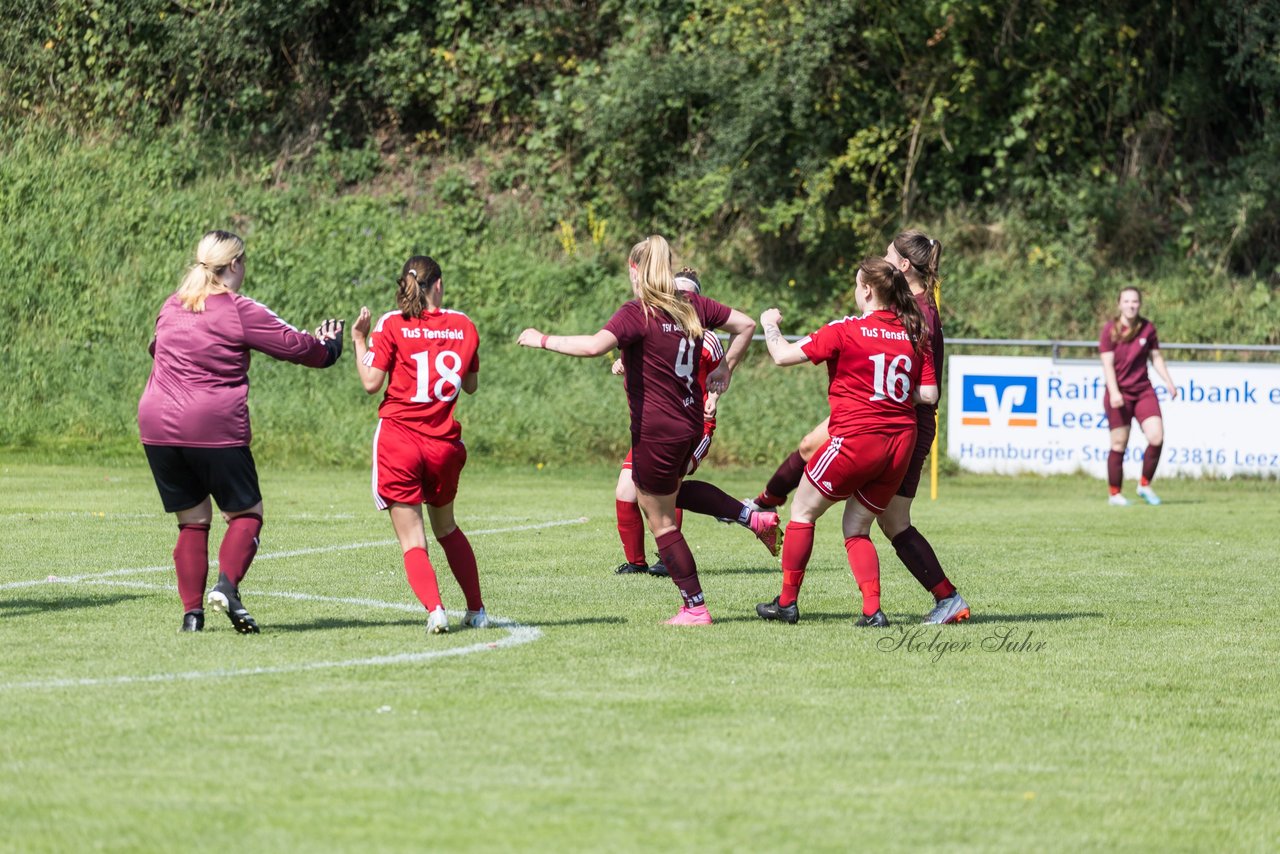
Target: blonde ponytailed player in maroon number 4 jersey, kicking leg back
point(661, 335)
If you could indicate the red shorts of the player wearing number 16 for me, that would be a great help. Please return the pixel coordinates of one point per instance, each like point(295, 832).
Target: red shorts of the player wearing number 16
point(868, 467)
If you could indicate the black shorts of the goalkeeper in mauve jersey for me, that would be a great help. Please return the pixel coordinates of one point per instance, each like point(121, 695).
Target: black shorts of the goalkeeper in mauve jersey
point(186, 477)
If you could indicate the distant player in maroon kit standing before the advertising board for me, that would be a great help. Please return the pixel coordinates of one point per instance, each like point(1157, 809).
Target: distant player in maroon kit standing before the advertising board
point(1128, 341)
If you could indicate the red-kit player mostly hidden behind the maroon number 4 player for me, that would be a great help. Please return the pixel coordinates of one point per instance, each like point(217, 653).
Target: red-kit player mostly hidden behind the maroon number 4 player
point(627, 505)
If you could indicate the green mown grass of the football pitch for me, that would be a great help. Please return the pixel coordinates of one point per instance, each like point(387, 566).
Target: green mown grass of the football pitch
point(1117, 688)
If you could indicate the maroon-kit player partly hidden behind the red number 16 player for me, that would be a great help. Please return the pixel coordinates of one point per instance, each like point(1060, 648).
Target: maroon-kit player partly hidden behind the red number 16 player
point(917, 257)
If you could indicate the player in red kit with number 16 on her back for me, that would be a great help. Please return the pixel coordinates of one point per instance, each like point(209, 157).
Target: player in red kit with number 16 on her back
point(880, 368)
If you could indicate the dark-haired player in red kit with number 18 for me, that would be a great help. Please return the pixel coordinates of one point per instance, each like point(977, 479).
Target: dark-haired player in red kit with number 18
point(432, 355)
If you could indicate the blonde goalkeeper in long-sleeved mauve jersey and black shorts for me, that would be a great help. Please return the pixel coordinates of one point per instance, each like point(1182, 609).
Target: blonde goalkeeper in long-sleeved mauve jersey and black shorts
point(194, 419)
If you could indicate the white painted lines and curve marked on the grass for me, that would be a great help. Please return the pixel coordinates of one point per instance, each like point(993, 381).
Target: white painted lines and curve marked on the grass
point(516, 634)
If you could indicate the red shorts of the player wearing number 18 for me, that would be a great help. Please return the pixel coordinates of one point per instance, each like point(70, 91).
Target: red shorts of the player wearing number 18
point(415, 469)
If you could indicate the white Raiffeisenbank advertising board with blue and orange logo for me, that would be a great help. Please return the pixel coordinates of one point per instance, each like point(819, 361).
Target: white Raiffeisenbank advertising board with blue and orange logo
point(1016, 414)
